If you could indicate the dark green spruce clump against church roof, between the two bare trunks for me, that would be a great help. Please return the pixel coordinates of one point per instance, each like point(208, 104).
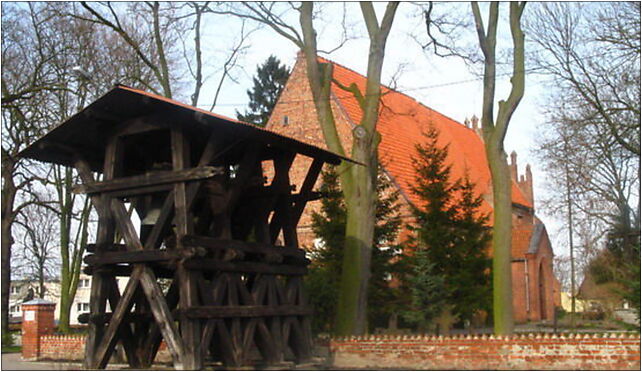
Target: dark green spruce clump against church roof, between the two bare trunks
point(449, 243)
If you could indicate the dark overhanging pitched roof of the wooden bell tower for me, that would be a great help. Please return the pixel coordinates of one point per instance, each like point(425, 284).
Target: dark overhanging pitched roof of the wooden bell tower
point(86, 131)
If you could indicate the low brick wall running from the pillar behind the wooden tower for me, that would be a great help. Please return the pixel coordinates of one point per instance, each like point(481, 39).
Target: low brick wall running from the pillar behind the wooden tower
point(73, 348)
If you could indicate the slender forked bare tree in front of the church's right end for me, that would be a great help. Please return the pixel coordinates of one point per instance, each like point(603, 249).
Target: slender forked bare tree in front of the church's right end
point(494, 132)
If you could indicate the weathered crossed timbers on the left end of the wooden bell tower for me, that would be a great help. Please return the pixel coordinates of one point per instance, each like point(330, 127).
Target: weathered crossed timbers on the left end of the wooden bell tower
point(112, 212)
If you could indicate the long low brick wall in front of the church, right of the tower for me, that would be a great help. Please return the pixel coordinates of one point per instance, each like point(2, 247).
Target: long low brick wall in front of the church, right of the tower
point(549, 352)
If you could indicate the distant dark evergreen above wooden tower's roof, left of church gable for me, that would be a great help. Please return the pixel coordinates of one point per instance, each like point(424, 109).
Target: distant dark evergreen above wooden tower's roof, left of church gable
point(269, 80)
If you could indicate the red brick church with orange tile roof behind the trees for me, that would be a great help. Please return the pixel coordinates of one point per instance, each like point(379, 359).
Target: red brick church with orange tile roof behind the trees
point(402, 123)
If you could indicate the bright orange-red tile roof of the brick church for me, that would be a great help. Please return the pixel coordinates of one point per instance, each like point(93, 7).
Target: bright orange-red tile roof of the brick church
point(402, 123)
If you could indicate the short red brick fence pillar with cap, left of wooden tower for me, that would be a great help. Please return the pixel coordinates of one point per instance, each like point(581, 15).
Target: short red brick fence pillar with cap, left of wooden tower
point(37, 320)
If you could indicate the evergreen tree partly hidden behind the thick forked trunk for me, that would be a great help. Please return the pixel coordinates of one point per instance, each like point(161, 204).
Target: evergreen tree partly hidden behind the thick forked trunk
point(329, 224)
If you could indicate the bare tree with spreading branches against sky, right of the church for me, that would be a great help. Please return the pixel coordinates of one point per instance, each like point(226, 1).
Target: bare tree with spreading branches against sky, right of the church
point(591, 139)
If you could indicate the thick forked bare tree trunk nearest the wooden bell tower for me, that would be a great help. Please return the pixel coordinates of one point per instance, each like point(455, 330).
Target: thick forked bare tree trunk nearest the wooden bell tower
point(357, 182)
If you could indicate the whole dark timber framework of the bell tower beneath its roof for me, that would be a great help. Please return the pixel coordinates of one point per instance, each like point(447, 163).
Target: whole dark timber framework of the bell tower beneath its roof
point(226, 304)
